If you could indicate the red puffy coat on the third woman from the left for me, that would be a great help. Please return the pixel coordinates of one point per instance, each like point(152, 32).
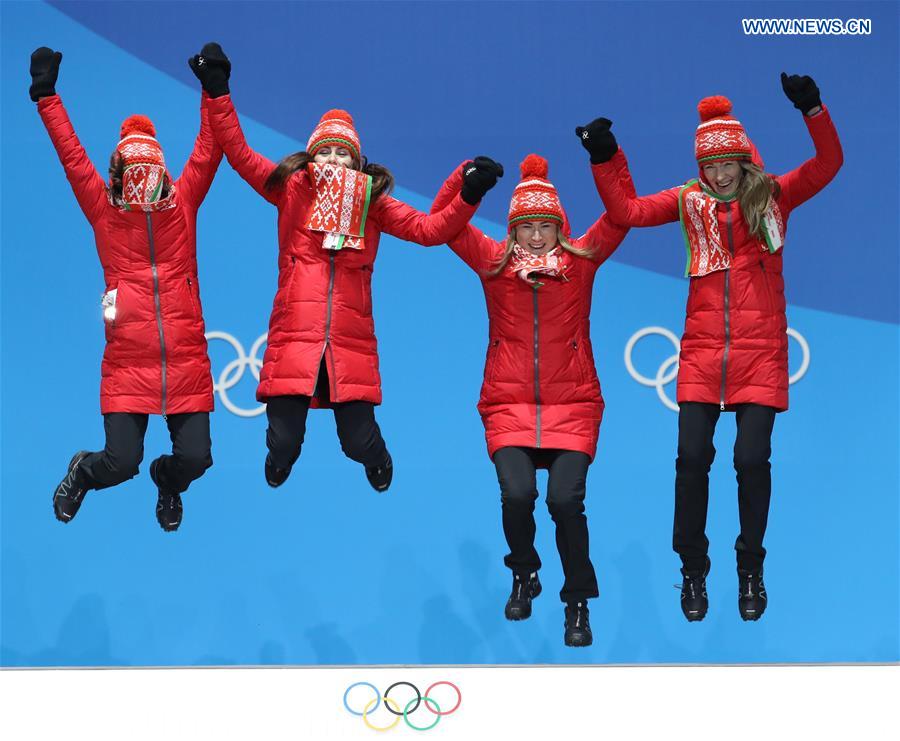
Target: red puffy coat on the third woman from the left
point(540, 385)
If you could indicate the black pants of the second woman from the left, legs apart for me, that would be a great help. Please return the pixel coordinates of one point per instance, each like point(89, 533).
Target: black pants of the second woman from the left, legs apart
point(358, 431)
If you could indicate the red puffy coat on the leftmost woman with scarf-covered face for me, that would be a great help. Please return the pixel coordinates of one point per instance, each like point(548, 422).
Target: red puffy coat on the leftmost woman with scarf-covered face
point(155, 360)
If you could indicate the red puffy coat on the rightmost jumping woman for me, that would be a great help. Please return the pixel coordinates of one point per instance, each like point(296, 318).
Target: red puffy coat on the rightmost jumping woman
point(734, 349)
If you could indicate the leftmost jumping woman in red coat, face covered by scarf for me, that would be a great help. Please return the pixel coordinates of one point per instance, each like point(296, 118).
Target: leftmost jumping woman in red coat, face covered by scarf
point(155, 360)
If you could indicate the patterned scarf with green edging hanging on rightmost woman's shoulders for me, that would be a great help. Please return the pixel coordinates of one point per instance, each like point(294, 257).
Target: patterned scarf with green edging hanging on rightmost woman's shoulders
point(700, 228)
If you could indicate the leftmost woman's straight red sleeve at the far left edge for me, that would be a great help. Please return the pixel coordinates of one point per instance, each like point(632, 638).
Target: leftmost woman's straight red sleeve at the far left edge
point(86, 182)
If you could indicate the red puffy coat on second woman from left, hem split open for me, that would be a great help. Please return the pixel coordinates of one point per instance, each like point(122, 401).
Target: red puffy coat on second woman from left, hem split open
point(323, 306)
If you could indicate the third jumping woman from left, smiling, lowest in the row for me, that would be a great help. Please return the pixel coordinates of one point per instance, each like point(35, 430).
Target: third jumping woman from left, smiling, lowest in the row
point(540, 401)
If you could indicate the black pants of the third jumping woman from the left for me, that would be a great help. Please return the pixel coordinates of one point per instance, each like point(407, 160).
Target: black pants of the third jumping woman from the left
point(516, 472)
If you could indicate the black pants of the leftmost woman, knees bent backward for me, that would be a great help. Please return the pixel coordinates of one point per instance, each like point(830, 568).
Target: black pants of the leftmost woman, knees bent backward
point(124, 451)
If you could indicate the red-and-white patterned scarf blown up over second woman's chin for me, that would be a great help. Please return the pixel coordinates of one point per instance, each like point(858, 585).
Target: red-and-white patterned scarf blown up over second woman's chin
point(340, 206)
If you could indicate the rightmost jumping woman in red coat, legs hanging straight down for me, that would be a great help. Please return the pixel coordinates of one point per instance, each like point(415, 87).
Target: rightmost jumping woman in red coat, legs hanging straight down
point(734, 348)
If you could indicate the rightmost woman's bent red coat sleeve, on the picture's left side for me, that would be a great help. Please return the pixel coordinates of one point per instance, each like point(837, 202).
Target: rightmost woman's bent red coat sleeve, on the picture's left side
point(626, 208)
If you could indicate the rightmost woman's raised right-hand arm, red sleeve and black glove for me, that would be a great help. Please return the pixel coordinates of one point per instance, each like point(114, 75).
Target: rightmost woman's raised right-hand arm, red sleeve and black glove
point(804, 182)
